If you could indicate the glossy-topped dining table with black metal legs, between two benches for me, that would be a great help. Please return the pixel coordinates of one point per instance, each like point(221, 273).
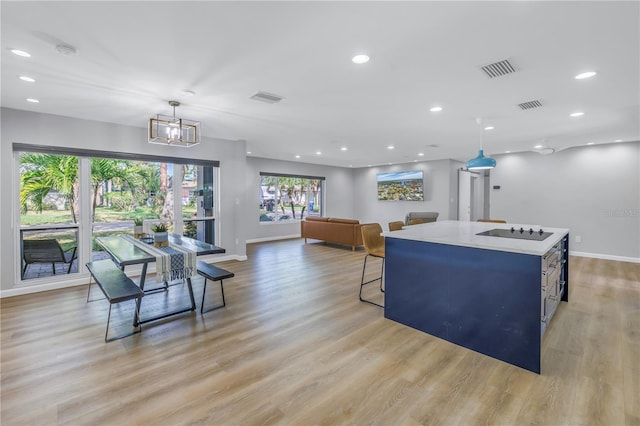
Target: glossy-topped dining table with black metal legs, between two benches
point(124, 253)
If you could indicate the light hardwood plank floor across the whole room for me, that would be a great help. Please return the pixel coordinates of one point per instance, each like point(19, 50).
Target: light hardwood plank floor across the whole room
point(295, 346)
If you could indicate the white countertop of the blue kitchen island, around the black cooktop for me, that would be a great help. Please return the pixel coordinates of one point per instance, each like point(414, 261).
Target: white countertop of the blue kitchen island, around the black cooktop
point(464, 234)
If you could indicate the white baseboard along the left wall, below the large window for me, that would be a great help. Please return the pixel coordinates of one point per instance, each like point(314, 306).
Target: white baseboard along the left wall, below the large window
point(83, 279)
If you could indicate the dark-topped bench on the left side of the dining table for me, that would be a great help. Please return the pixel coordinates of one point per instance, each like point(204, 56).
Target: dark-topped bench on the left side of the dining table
point(116, 287)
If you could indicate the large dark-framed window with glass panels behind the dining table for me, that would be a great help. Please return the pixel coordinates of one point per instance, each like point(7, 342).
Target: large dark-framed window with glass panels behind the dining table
point(118, 189)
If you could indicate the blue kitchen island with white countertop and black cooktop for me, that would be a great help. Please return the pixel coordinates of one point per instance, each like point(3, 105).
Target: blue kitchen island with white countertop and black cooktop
point(492, 294)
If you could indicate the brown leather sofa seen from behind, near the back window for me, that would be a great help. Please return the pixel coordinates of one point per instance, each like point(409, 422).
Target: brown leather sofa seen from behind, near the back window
point(332, 230)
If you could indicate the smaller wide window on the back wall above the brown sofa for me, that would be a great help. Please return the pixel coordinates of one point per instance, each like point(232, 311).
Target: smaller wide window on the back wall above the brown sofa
point(289, 197)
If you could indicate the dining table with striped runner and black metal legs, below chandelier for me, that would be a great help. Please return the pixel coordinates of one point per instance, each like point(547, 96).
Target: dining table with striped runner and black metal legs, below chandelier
point(126, 250)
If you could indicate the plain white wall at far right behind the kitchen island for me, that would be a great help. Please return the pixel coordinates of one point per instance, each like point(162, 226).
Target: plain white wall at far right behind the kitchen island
point(592, 190)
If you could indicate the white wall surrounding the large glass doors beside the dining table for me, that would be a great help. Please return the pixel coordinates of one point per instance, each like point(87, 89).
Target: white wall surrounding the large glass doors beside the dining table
point(45, 129)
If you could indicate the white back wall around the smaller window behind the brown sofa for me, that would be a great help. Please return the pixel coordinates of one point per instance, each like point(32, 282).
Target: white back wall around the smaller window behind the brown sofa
point(339, 194)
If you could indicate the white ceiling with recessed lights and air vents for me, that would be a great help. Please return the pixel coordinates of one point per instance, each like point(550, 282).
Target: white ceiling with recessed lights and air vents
point(133, 57)
